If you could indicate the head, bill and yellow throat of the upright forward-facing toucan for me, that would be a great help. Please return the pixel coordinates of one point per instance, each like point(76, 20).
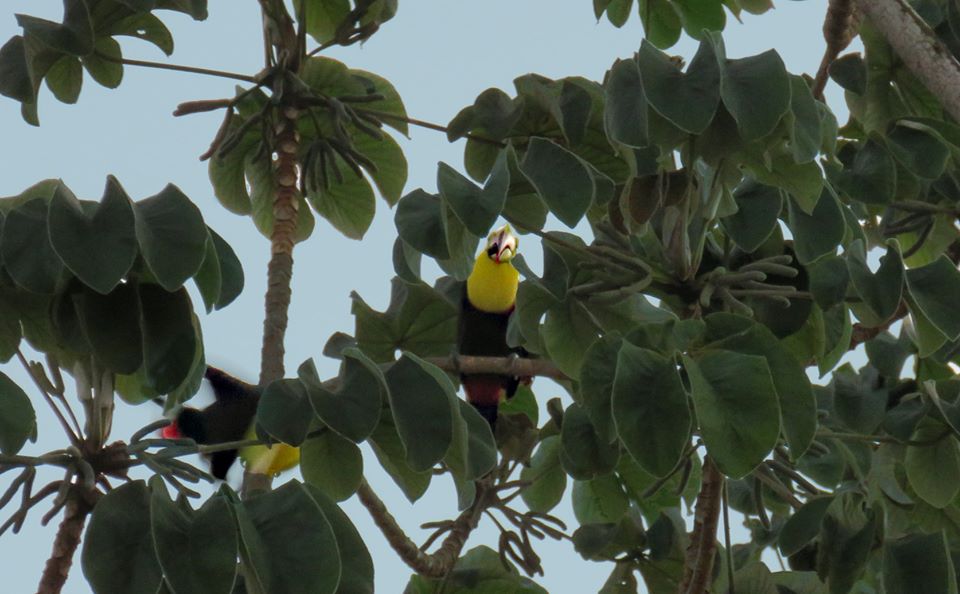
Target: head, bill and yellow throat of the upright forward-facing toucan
point(492, 285)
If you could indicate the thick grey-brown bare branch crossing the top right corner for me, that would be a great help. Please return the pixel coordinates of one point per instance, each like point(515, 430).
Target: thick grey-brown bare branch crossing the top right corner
point(917, 45)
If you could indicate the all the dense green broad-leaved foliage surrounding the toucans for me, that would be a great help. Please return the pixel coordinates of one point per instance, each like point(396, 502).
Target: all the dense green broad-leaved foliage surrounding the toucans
point(737, 240)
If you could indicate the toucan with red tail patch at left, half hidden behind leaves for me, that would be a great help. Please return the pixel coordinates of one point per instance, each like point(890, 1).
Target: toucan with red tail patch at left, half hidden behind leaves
point(230, 418)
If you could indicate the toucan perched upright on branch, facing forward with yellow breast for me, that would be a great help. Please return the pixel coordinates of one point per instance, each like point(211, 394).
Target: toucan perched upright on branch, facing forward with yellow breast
point(488, 300)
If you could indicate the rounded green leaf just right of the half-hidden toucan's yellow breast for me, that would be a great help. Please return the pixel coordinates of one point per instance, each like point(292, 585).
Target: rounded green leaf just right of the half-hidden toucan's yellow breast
point(332, 464)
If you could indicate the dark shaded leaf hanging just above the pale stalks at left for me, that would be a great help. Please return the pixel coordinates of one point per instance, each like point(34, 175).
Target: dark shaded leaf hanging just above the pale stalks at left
point(111, 324)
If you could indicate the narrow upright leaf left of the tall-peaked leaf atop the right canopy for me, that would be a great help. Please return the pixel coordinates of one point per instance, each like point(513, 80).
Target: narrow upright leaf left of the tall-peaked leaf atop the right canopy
point(625, 115)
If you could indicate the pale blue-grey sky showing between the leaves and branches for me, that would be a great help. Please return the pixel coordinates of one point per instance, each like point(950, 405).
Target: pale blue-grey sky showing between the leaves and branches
point(440, 54)
